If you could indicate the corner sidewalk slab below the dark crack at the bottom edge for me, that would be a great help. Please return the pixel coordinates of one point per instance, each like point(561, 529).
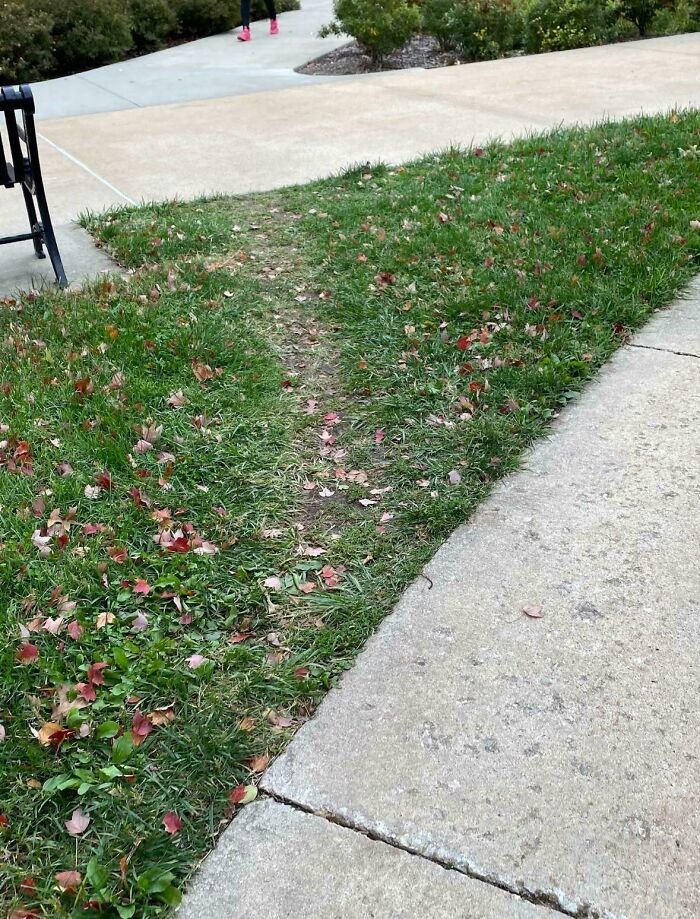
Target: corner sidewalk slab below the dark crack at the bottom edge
point(276, 862)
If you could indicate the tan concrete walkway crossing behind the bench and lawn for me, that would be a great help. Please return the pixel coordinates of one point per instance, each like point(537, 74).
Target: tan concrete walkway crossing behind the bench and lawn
point(270, 139)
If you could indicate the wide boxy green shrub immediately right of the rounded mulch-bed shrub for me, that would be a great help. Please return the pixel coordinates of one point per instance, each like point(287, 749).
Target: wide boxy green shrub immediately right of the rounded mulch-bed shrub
point(555, 25)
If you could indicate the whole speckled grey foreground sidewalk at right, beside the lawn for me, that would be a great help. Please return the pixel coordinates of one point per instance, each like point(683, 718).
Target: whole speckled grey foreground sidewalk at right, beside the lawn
point(506, 766)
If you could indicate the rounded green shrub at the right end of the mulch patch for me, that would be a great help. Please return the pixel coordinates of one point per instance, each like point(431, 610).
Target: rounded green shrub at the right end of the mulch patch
point(485, 29)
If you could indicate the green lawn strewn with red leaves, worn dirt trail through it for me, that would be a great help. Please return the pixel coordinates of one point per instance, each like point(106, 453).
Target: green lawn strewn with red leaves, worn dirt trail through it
point(217, 477)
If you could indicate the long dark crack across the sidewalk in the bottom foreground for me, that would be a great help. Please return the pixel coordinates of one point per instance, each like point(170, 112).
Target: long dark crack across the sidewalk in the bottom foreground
point(552, 899)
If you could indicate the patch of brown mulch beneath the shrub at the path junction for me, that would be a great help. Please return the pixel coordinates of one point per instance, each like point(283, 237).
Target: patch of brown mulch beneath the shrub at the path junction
point(421, 51)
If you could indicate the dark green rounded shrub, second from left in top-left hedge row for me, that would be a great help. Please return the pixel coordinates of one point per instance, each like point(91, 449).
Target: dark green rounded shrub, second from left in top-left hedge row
point(88, 33)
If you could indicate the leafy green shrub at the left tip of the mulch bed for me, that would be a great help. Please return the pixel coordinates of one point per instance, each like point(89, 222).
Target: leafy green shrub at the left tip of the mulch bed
point(379, 26)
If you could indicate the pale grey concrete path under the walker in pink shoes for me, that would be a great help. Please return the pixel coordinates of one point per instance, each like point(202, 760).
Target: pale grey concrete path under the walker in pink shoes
point(206, 69)
